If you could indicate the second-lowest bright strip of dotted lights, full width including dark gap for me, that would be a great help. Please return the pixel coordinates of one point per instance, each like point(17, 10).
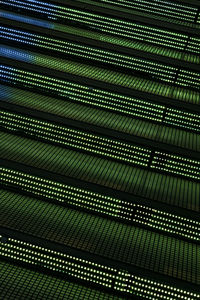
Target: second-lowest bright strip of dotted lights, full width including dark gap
point(95, 202)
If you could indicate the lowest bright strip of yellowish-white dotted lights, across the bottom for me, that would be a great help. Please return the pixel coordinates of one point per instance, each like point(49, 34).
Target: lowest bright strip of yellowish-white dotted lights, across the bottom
point(147, 288)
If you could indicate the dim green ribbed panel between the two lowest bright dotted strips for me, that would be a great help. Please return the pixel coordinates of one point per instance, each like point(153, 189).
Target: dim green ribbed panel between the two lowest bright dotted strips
point(99, 236)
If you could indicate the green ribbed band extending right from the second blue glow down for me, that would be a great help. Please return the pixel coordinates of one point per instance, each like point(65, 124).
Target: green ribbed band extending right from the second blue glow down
point(110, 77)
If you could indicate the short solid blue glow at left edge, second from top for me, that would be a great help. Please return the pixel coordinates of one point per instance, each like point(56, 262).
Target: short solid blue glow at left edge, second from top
point(13, 53)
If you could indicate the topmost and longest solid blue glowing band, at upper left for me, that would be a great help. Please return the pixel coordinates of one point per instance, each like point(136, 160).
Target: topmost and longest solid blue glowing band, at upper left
point(32, 21)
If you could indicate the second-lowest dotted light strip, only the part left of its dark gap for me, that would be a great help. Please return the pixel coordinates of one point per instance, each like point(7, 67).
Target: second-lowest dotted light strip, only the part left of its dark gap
point(64, 193)
